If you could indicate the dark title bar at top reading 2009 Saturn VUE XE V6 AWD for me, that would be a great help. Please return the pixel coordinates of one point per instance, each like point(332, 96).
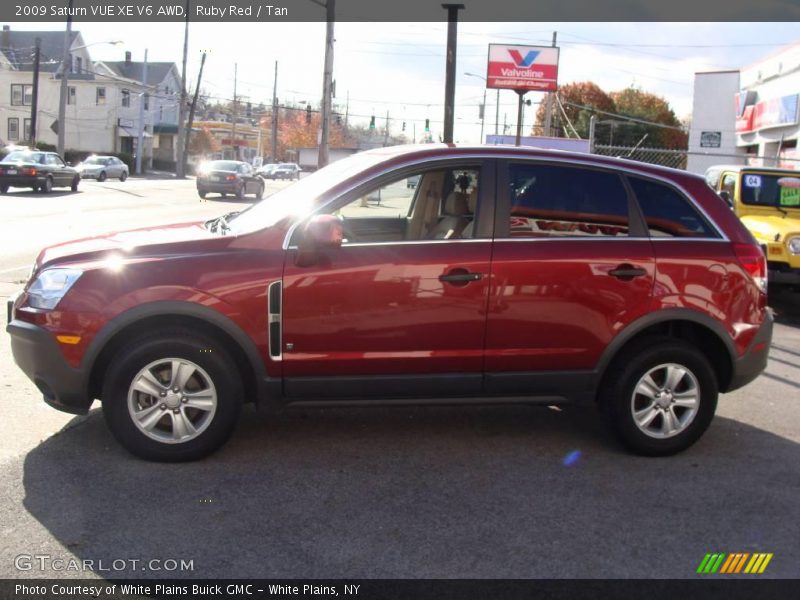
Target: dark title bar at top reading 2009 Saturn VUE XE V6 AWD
point(513, 11)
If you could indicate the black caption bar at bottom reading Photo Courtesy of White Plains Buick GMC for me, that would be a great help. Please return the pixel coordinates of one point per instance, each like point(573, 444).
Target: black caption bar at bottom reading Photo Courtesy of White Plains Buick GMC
point(707, 588)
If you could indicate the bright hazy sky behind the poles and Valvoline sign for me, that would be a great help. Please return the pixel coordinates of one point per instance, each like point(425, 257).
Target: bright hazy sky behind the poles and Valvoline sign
point(400, 67)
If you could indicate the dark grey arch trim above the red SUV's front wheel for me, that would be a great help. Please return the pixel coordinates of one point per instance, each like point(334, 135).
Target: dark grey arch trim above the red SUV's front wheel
point(180, 308)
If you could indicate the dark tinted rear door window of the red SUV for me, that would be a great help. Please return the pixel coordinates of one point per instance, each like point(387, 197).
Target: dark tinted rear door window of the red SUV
point(558, 201)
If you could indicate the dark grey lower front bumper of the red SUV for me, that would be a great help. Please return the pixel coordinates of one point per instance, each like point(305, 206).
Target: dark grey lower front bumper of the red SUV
point(36, 352)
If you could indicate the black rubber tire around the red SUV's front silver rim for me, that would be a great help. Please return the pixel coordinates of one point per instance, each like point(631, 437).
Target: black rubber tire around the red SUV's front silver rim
point(172, 344)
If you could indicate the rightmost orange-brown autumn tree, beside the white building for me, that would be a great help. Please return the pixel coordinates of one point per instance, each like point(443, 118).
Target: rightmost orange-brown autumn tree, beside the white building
point(634, 102)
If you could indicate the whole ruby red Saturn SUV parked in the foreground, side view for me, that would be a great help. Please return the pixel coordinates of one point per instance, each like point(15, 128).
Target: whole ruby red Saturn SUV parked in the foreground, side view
point(505, 275)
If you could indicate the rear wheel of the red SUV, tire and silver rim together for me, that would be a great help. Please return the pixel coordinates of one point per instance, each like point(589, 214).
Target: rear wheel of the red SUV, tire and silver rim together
point(660, 395)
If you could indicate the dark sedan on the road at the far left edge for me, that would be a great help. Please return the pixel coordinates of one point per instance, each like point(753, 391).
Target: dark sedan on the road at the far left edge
point(37, 170)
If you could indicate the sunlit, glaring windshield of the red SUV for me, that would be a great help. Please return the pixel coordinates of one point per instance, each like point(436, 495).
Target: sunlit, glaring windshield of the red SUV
point(298, 199)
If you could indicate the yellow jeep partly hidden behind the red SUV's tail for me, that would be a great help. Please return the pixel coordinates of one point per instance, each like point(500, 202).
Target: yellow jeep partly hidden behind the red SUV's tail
point(768, 203)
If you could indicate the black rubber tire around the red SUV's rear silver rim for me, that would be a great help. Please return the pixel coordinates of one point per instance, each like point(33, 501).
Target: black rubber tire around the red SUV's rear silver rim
point(618, 401)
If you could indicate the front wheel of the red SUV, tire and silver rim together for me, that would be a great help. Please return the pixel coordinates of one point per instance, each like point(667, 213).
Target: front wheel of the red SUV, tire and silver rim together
point(172, 396)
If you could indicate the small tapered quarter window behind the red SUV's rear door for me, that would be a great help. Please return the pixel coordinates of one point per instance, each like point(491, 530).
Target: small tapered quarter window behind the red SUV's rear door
point(668, 213)
